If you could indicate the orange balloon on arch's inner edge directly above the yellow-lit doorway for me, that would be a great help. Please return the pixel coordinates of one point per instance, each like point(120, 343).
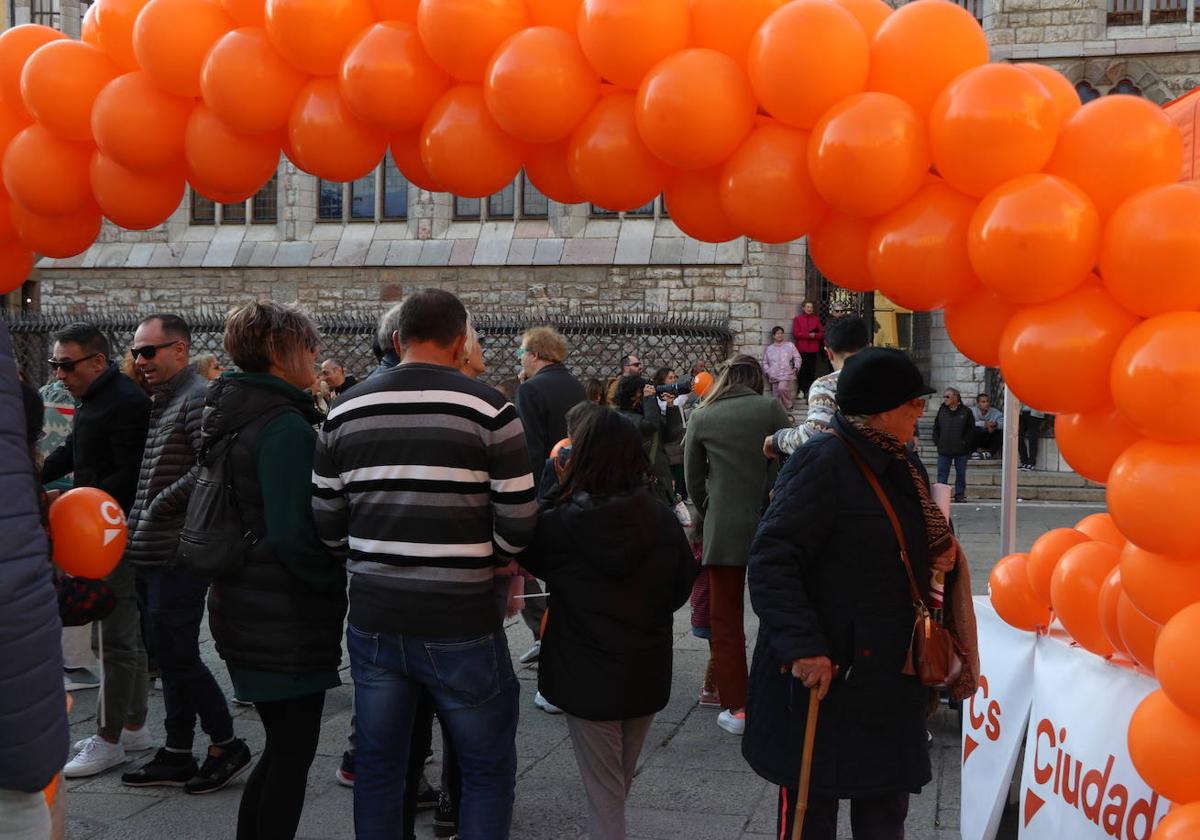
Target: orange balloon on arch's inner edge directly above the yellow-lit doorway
point(919, 253)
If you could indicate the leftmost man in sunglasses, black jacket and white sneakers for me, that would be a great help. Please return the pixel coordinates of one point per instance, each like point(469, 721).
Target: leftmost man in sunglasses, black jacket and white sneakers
point(105, 452)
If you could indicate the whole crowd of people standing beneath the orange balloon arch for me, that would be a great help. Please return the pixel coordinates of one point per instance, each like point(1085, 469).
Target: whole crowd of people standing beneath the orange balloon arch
point(412, 513)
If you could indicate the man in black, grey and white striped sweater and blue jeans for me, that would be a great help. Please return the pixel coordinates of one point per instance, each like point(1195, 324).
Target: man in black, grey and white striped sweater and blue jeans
point(422, 479)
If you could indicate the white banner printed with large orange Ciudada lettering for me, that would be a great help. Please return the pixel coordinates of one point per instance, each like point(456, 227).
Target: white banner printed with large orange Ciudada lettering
point(1078, 782)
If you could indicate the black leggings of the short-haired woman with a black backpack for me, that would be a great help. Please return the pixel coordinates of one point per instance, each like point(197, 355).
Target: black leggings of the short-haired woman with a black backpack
point(274, 795)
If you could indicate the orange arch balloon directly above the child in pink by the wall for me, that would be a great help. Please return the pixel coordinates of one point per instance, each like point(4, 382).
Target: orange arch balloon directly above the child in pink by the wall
point(766, 188)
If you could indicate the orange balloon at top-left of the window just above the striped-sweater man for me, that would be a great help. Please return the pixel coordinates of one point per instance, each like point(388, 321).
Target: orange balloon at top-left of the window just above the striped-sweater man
point(465, 149)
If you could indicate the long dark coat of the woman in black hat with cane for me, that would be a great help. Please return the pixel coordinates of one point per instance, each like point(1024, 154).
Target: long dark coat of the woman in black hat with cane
point(826, 580)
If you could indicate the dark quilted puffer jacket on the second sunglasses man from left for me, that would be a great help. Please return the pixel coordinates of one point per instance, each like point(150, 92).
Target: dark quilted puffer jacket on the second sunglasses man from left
point(169, 469)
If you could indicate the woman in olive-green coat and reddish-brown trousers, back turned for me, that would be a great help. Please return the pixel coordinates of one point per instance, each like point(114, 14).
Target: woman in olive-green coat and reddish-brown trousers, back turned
point(728, 479)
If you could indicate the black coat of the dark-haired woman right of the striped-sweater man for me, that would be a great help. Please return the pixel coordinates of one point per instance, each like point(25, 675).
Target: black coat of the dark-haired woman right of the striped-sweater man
point(617, 569)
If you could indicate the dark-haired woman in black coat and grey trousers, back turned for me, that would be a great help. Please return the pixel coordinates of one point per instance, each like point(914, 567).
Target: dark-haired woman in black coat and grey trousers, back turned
point(617, 563)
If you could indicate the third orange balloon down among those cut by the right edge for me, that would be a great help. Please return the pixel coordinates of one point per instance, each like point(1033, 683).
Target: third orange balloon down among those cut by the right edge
point(1150, 496)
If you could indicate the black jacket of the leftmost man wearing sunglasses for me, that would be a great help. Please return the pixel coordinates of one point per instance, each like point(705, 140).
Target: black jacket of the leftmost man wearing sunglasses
point(107, 437)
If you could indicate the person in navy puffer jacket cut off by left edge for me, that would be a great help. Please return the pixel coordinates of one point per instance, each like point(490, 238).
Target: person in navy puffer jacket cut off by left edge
point(33, 709)
